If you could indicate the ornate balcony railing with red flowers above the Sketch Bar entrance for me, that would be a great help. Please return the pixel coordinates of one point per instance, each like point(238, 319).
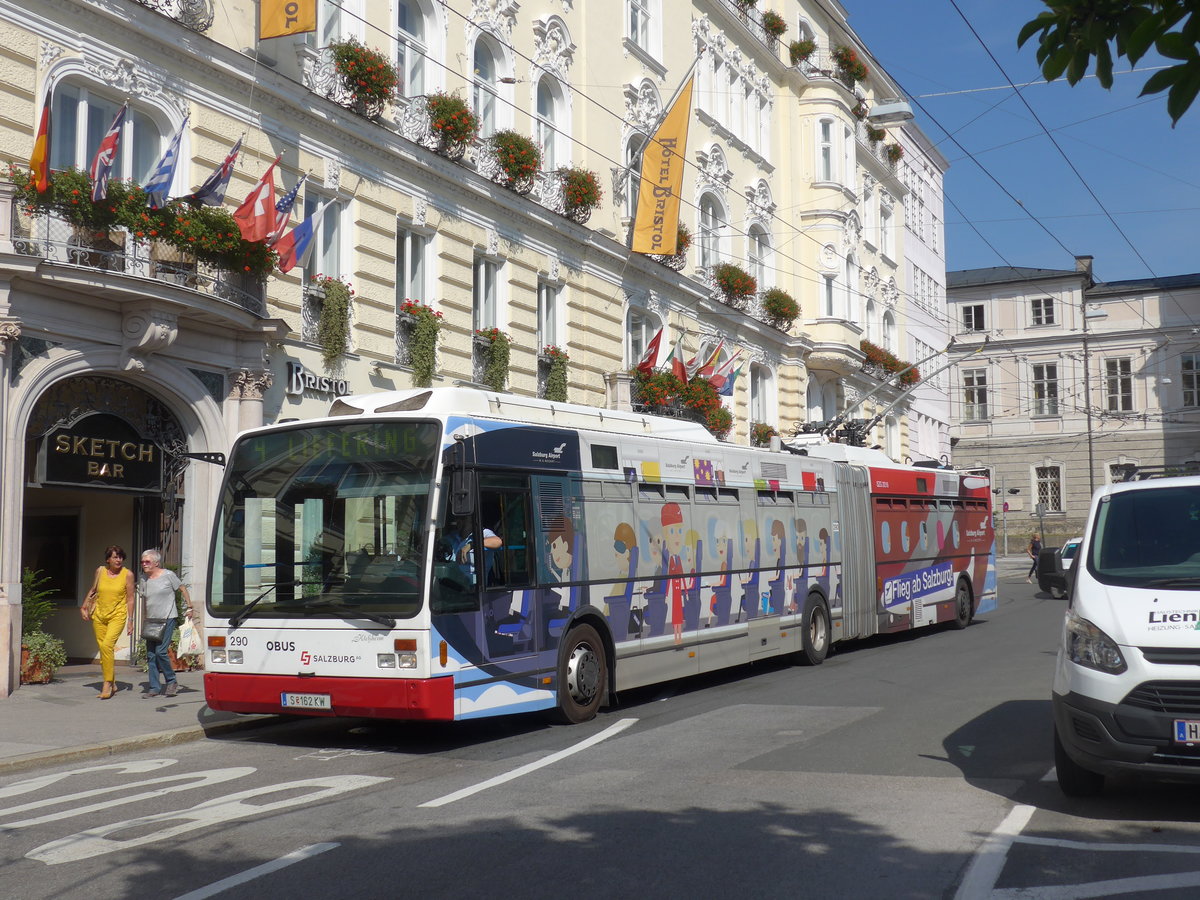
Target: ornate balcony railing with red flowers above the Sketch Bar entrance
point(53, 239)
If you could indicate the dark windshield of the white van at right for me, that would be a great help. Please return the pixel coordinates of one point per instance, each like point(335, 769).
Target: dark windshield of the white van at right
point(1149, 538)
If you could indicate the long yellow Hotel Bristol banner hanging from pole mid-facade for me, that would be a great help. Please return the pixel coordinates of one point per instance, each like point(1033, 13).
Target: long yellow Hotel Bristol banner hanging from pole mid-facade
point(657, 224)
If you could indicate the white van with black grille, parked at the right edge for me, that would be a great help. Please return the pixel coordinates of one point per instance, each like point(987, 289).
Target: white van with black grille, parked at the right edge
point(1127, 682)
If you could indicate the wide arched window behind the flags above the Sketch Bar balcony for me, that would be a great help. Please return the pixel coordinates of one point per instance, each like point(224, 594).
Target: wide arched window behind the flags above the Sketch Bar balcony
point(80, 119)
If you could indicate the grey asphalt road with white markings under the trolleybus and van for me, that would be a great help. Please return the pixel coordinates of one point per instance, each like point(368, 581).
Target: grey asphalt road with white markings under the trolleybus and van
point(910, 767)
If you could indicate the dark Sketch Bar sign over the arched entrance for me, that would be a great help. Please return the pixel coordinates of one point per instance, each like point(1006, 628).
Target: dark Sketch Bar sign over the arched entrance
point(101, 451)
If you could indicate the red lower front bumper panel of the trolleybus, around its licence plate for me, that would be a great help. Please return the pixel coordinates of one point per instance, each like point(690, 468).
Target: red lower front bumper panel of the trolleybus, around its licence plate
point(376, 698)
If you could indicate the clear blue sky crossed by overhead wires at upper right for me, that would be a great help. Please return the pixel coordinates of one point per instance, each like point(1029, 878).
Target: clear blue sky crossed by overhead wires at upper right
point(1143, 171)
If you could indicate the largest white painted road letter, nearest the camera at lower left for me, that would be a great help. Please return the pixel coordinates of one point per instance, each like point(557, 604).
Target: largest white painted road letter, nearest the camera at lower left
point(166, 826)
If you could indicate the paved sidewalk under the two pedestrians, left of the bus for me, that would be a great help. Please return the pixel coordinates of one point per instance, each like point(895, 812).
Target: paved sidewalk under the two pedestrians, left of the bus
point(51, 724)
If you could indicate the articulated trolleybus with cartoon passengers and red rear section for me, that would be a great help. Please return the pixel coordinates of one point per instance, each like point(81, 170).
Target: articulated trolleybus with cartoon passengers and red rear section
point(454, 554)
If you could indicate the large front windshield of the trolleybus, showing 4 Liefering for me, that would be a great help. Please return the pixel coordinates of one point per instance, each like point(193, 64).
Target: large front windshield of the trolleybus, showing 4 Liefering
point(326, 520)
